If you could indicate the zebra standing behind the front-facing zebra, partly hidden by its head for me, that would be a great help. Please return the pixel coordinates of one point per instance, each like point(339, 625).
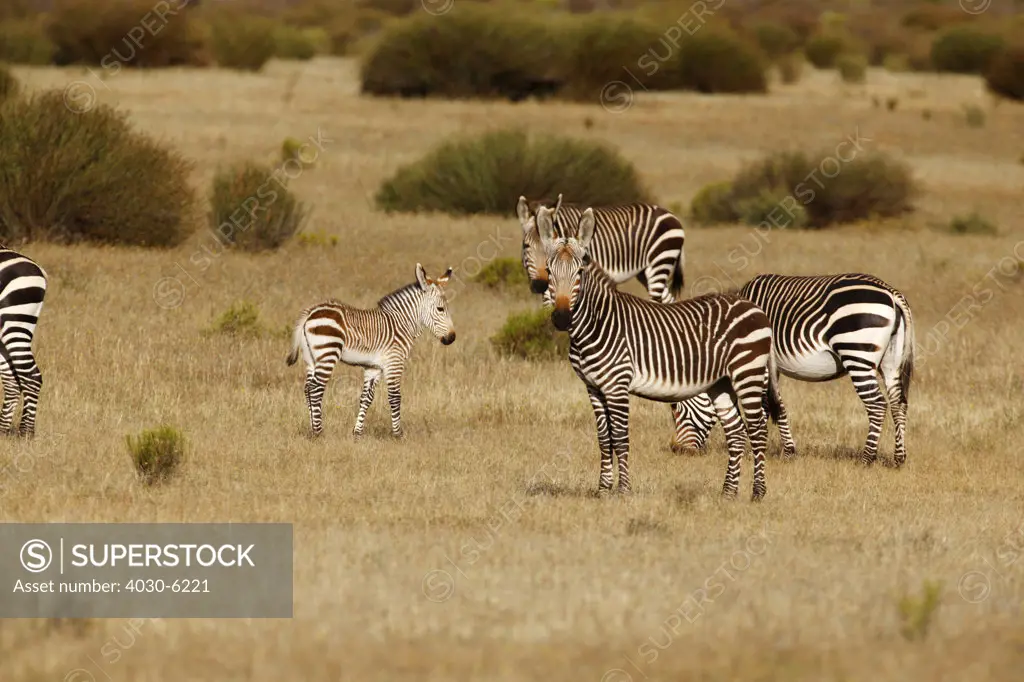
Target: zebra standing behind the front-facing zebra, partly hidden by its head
point(639, 241)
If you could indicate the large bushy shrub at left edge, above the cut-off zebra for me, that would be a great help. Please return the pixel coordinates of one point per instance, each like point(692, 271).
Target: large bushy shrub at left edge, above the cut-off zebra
point(89, 177)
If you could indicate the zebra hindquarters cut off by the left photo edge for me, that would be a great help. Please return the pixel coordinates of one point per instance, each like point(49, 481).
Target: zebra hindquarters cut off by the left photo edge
point(23, 287)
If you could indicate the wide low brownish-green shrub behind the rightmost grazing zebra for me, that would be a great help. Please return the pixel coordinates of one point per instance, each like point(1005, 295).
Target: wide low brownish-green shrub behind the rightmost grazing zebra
point(791, 190)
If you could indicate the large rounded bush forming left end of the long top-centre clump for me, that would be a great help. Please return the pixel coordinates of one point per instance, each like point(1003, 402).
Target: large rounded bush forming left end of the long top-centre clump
point(476, 52)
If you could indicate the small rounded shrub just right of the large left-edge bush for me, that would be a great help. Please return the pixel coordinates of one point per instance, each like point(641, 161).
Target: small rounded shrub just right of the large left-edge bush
point(251, 211)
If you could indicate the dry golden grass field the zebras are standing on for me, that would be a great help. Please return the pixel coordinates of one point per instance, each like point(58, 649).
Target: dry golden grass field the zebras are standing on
point(475, 549)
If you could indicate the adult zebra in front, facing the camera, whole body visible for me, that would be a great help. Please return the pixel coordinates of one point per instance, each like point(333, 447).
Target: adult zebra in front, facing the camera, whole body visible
point(622, 345)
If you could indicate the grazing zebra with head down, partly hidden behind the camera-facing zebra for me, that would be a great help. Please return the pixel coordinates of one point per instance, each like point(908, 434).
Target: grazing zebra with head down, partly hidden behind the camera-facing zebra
point(828, 327)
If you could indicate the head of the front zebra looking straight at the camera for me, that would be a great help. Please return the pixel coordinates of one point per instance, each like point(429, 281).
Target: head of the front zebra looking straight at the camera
point(566, 259)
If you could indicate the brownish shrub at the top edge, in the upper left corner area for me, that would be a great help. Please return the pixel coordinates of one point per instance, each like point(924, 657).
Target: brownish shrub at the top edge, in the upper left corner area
point(108, 33)
